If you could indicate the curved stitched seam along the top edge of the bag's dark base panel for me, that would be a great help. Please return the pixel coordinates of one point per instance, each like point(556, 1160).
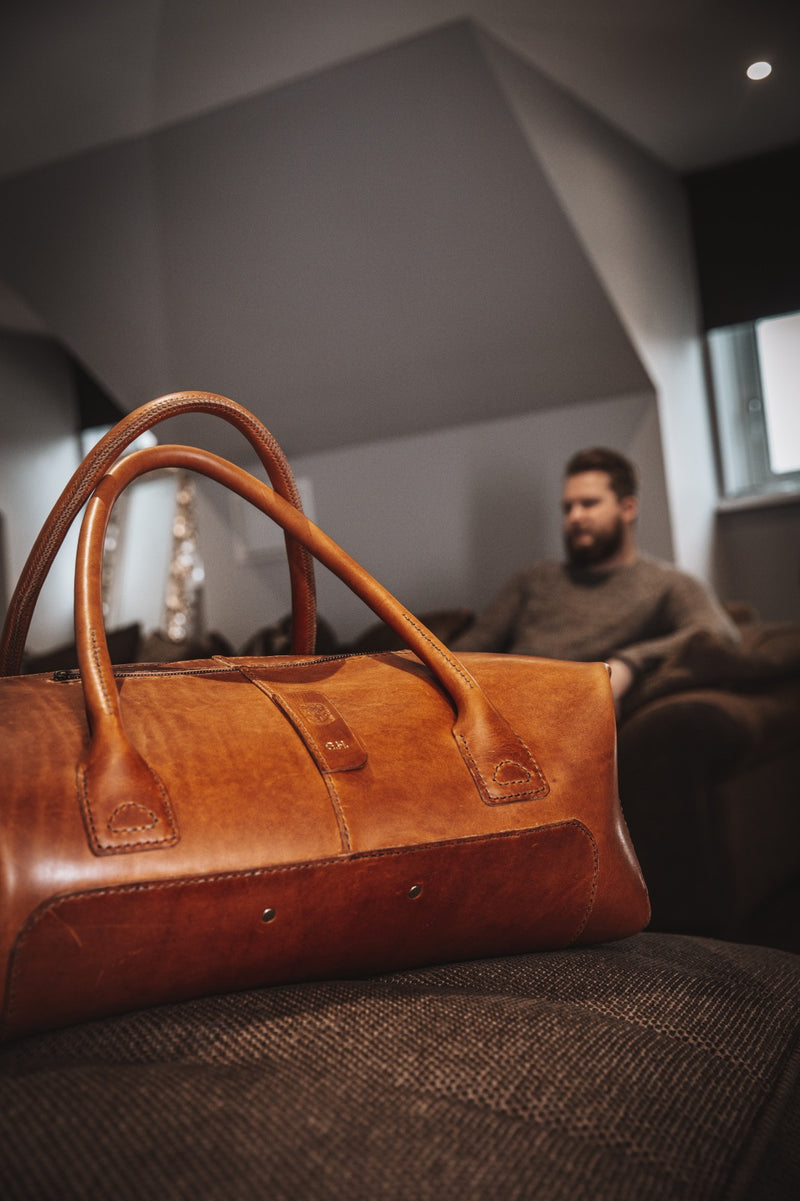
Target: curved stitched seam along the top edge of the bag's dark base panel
point(282, 869)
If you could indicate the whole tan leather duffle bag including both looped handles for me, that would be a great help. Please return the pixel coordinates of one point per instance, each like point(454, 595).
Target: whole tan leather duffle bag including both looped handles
point(176, 830)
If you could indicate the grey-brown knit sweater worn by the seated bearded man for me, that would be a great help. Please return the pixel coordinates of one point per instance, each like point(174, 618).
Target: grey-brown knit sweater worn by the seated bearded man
point(637, 613)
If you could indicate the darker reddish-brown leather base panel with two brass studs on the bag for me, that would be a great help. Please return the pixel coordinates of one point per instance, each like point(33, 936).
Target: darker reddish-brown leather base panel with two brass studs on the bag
point(110, 951)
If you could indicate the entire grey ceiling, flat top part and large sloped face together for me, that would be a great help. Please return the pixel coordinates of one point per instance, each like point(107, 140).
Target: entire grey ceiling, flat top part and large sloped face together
point(329, 205)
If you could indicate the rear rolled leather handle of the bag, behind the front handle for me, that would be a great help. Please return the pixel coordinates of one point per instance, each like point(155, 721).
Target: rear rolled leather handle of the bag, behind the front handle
point(91, 473)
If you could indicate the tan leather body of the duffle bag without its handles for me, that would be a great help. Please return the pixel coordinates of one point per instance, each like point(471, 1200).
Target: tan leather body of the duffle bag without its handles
point(259, 811)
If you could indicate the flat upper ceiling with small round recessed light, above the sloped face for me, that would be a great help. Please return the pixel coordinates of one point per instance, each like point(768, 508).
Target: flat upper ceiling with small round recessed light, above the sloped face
point(670, 74)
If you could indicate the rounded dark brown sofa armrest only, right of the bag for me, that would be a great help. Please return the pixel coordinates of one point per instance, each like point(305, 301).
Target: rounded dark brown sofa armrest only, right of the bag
point(709, 788)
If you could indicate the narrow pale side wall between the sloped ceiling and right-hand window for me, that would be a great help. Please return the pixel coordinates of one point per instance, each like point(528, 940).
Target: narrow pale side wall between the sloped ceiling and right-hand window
point(631, 217)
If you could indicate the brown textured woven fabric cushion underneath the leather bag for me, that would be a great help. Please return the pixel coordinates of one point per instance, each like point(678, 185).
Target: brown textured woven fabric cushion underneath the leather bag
point(660, 1067)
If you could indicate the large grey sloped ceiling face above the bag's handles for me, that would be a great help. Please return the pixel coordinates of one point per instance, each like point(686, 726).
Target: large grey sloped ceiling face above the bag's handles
point(367, 253)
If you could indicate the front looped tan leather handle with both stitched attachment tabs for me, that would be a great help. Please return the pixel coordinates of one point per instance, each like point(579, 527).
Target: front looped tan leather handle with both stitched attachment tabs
point(116, 780)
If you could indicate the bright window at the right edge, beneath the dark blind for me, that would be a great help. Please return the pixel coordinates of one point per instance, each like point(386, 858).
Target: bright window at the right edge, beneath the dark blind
point(756, 378)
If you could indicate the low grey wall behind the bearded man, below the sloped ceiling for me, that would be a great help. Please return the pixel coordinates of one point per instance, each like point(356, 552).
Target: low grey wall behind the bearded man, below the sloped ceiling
point(440, 519)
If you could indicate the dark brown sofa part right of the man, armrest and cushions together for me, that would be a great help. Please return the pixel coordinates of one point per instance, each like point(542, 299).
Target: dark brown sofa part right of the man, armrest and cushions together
point(709, 754)
